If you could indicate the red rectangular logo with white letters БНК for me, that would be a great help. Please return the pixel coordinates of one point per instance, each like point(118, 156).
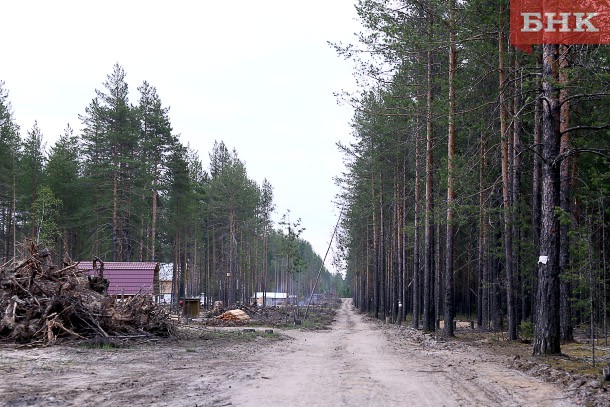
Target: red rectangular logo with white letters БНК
point(559, 22)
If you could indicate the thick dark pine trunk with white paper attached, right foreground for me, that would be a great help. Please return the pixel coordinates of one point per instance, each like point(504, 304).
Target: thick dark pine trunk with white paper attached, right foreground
point(548, 336)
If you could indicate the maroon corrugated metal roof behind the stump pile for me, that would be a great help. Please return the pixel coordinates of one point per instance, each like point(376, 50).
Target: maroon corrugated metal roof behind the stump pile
point(126, 278)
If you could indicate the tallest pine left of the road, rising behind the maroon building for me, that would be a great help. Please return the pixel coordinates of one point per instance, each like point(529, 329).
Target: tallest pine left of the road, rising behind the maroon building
point(110, 143)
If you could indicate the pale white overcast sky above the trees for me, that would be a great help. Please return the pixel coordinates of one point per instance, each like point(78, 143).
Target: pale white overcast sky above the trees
point(257, 75)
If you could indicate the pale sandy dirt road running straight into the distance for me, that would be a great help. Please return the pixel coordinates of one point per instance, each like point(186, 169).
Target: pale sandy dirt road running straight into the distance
point(354, 364)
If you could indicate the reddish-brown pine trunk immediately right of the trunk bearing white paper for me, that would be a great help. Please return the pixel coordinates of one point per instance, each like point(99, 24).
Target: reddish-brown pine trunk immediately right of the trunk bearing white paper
point(565, 288)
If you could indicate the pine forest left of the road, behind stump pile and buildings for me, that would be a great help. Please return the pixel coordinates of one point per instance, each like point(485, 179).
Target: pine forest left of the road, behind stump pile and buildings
point(126, 189)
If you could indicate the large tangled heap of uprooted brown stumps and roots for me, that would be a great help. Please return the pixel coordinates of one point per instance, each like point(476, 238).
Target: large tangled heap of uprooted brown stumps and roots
point(41, 304)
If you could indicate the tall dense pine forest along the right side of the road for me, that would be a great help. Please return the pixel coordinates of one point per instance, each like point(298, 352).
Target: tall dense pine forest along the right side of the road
point(478, 178)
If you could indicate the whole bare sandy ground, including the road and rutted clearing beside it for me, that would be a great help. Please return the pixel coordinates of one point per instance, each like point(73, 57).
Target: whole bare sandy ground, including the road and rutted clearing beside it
point(356, 361)
